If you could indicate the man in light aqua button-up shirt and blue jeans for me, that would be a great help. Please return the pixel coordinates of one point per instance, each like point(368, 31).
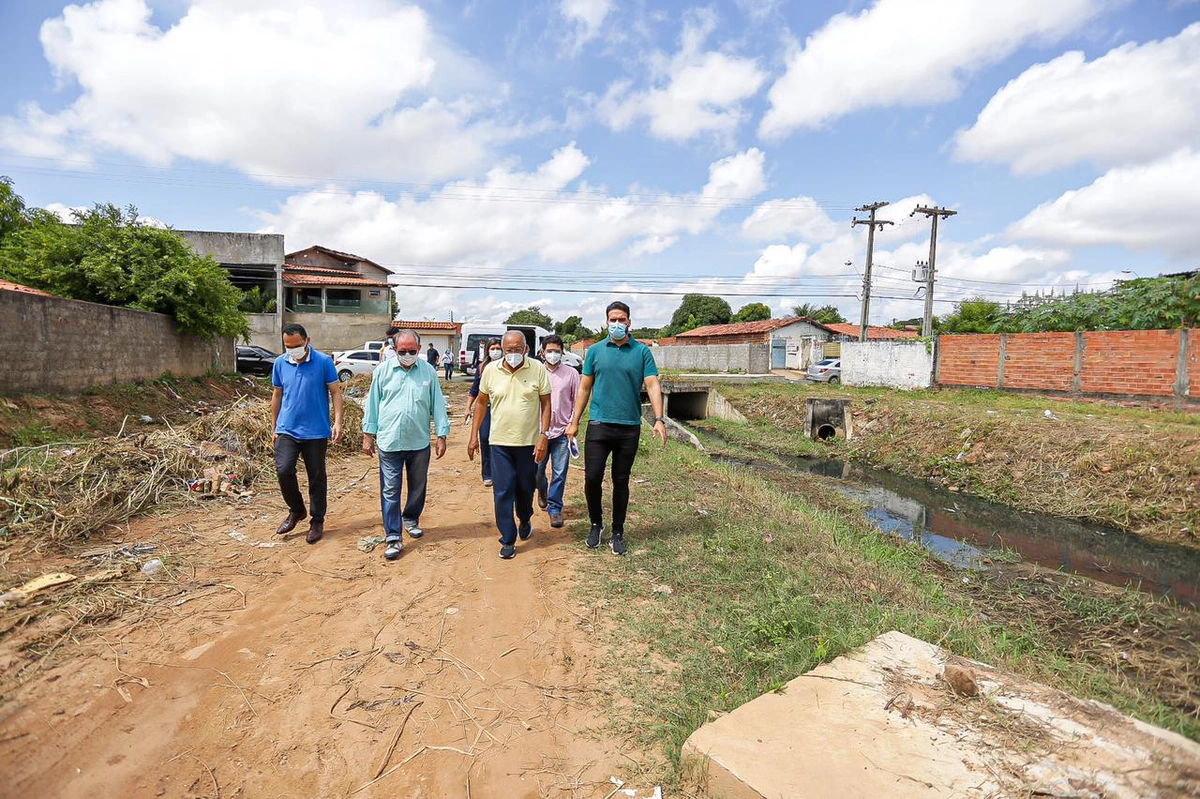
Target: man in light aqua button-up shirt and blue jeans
point(405, 395)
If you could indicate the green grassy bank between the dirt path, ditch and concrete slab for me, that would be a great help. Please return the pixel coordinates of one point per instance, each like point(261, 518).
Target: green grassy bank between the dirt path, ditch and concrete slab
point(765, 586)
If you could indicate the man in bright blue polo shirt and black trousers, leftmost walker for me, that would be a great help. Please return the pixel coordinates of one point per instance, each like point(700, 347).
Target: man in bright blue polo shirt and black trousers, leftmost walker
point(304, 382)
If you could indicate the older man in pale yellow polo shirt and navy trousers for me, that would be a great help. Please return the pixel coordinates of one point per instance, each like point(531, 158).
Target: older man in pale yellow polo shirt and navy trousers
point(519, 392)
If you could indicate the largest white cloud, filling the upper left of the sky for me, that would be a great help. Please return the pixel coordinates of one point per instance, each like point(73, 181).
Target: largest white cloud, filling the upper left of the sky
point(280, 87)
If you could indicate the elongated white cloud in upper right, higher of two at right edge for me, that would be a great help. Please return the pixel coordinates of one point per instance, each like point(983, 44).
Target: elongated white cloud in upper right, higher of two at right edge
point(1129, 106)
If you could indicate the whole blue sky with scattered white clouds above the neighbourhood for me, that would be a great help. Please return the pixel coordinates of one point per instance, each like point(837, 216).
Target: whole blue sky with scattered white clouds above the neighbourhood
point(562, 153)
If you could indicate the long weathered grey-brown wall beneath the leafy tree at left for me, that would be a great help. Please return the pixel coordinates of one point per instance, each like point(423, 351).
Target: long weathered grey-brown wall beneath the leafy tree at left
point(51, 345)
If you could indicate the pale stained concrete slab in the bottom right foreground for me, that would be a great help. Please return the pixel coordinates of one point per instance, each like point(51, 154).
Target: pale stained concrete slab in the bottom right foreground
point(881, 722)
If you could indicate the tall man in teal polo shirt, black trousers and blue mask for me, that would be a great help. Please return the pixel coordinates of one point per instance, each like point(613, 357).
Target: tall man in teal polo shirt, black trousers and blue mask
point(615, 370)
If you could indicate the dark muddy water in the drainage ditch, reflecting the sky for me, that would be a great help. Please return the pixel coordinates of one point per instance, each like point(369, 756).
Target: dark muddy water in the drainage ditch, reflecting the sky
point(967, 532)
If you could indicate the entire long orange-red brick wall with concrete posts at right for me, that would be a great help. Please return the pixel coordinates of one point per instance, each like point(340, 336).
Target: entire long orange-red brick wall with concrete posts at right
point(1118, 363)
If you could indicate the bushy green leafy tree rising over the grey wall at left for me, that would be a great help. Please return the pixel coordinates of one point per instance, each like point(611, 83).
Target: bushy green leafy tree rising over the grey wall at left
point(110, 257)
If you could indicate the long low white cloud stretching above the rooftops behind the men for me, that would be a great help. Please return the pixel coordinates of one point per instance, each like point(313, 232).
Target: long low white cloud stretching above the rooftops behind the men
point(514, 217)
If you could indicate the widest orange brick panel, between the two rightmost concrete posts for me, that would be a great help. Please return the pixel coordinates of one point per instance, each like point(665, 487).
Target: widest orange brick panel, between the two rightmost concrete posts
point(1130, 362)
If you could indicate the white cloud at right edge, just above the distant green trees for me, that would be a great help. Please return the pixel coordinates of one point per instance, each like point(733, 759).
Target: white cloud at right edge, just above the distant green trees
point(1150, 207)
